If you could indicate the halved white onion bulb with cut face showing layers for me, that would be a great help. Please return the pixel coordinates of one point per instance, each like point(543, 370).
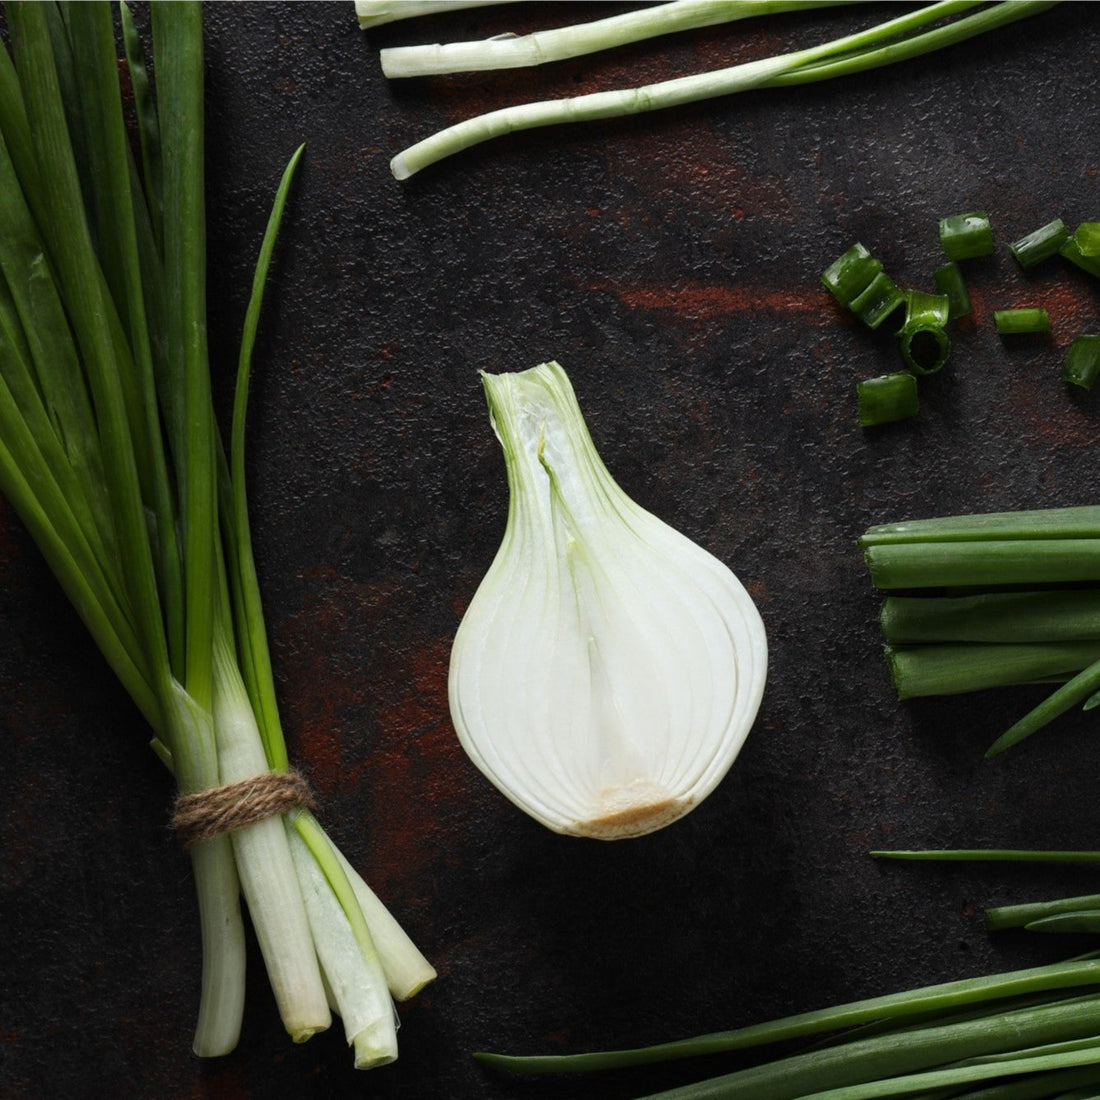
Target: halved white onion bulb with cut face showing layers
point(609, 669)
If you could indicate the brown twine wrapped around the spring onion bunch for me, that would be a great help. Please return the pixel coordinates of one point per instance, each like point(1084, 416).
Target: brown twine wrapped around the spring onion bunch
point(208, 813)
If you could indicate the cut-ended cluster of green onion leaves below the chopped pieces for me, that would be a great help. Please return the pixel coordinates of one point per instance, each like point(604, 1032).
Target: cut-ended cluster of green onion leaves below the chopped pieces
point(993, 601)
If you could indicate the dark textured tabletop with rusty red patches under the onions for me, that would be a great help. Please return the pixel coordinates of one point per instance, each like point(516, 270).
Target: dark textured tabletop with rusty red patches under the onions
point(670, 263)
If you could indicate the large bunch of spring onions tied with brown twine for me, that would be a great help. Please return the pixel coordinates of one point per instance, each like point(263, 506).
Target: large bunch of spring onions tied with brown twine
point(109, 453)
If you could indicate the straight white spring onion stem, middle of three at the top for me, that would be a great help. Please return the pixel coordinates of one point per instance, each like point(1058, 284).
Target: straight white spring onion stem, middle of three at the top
point(564, 42)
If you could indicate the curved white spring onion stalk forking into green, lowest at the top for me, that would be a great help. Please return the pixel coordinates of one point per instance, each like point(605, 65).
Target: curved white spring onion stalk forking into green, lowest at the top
point(897, 40)
